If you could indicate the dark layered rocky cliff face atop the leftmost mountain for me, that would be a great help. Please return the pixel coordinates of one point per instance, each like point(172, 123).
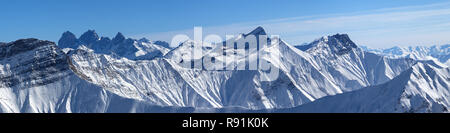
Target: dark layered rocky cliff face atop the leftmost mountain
point(32, 62)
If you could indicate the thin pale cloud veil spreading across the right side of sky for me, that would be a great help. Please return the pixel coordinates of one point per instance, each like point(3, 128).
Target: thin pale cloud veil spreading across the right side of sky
point(410, 25)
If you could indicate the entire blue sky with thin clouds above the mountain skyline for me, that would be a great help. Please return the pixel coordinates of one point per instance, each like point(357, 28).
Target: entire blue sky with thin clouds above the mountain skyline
point(381, 23)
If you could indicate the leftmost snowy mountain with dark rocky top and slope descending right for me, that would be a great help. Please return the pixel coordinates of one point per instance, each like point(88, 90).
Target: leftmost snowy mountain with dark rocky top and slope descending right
point(36, 76)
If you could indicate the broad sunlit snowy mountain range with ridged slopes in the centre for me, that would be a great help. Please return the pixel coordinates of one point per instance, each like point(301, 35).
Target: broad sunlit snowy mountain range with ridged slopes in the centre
point(303, 77)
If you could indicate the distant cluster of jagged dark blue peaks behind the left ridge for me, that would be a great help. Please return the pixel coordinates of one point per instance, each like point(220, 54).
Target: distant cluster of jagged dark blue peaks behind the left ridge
point(133, 49)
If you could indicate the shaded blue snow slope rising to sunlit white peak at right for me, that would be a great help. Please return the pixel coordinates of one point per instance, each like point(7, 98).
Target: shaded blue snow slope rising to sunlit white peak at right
point(422, 88)
